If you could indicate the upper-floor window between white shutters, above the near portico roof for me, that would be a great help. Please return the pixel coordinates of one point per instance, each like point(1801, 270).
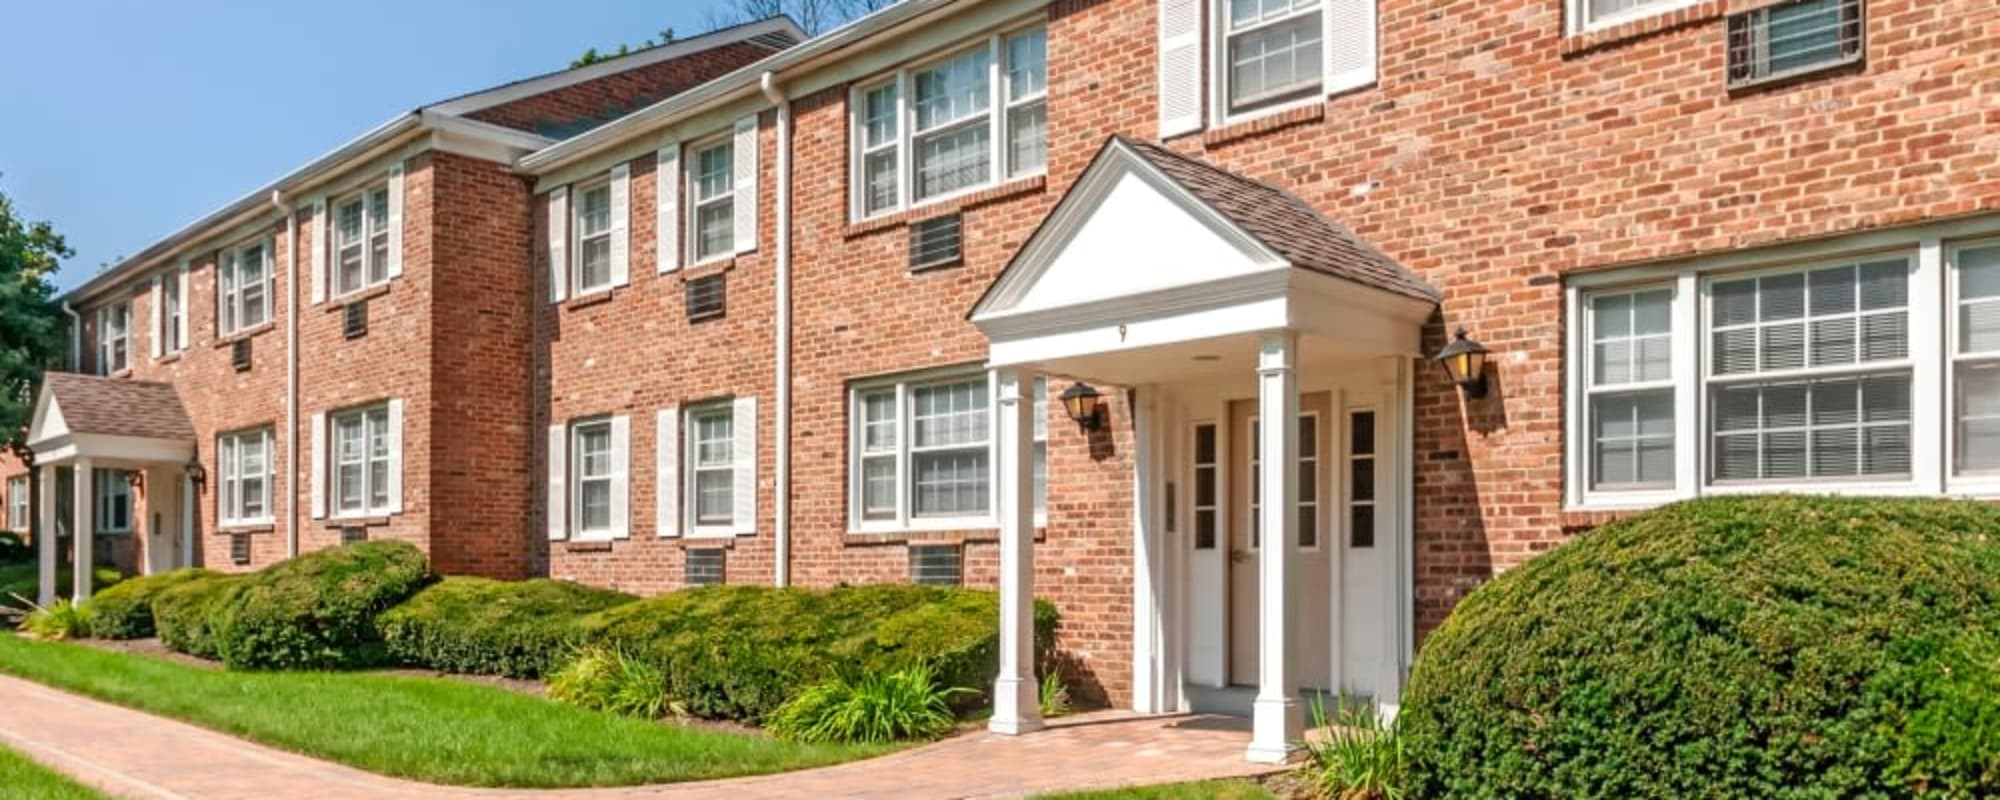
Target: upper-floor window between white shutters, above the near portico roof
point(1273, 53)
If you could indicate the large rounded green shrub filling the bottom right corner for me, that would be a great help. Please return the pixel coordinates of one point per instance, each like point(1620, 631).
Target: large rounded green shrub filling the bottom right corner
point(1773, 647)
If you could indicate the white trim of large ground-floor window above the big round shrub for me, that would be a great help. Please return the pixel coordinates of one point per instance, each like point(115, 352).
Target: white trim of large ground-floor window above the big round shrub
point(1931, 425)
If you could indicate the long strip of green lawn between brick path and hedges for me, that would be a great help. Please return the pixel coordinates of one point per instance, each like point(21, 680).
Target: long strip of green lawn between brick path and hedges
point(425, 729)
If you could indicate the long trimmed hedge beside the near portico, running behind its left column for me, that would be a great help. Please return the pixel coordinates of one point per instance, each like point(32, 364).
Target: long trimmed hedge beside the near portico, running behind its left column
point(741, 651)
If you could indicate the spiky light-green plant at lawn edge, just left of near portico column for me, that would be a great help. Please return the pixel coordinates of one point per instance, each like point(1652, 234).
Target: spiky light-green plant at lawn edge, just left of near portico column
point(903, 705)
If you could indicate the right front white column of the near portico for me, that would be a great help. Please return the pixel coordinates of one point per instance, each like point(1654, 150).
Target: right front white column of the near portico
point(1275, 719)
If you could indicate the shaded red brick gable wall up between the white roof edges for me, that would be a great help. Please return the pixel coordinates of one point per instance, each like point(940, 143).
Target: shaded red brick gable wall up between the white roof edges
point(575, 109)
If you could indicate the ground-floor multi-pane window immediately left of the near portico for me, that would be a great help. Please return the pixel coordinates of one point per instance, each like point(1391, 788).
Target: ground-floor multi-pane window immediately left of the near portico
point(925, 453)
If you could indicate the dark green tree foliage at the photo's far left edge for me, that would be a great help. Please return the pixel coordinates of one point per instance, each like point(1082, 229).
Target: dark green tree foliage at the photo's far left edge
point(31, 329)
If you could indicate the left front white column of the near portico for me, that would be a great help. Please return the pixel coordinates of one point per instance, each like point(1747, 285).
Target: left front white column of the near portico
point(1017, 695)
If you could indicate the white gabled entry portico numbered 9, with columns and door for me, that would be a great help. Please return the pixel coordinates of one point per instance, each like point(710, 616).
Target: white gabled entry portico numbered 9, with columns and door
point(1269, 359)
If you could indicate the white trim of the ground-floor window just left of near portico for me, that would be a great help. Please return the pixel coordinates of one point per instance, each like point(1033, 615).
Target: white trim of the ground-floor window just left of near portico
point(905, 519)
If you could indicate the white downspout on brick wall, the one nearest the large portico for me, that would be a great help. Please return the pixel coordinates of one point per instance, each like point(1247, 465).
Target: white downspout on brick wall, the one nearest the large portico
point(783, 325)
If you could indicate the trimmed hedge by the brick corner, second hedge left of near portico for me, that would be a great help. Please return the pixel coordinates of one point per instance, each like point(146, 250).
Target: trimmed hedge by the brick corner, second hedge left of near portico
point(493, 627)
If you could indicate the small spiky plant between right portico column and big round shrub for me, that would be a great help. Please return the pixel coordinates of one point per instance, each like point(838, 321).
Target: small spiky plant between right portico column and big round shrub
point(1361, 757)
